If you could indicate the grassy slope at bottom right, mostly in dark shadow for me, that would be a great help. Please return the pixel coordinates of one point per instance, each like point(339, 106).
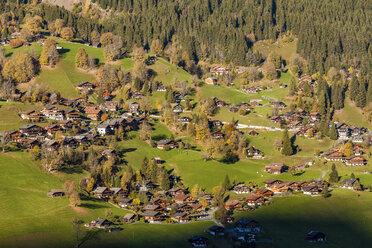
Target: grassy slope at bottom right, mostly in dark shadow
point(345, 218)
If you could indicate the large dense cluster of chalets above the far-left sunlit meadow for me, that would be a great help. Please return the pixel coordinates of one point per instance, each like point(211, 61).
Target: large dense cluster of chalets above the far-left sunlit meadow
point(74, 131)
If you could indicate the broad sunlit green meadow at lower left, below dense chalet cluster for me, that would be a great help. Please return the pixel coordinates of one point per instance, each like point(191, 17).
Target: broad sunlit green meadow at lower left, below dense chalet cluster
point(25, 208)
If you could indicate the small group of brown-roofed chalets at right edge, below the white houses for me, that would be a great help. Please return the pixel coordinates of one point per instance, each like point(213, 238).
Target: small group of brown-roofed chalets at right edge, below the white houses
point(338, 154)
